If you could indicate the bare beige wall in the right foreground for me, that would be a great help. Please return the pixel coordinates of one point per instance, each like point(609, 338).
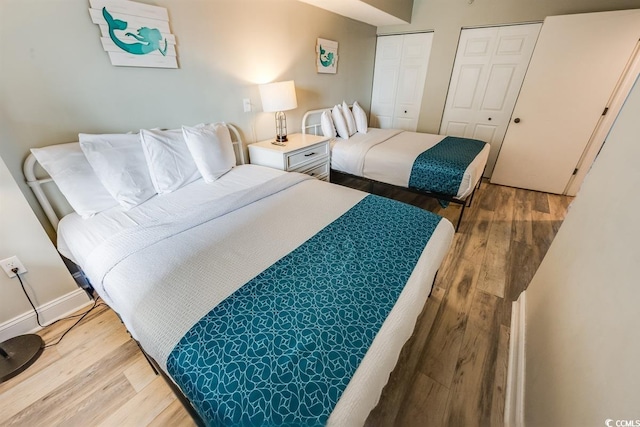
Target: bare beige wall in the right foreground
point(582, 314)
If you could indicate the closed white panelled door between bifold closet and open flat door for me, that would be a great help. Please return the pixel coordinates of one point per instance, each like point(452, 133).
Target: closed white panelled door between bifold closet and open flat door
point(487, 76)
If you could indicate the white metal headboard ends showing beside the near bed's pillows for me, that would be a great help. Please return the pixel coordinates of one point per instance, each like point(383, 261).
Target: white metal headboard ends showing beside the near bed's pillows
point(30, 165)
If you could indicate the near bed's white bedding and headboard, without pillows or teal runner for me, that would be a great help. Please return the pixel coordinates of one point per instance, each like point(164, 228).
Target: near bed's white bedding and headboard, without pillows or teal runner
point(167, 262)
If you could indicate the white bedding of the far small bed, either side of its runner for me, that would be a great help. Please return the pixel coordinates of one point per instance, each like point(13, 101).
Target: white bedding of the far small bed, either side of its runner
point(387, 155)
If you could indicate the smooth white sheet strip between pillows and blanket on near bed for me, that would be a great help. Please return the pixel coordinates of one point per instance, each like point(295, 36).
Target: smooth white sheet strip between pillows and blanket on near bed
point(78, 237)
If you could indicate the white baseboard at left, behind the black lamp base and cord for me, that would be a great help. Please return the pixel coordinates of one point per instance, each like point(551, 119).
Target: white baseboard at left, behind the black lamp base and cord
point(49, 312)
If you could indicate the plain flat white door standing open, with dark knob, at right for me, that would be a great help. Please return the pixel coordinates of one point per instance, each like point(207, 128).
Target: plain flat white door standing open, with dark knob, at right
point(573, 72)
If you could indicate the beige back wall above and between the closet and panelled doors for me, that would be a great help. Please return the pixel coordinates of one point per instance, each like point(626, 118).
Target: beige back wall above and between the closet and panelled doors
point(446, 18)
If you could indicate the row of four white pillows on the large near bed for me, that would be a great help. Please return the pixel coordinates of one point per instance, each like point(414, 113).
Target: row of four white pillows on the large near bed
point(104, 171)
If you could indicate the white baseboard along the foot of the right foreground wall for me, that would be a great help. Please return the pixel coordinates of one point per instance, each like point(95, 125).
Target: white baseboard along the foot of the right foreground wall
point(514, 401)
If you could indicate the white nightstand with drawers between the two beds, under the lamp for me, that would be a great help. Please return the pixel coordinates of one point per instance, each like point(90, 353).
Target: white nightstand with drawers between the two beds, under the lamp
point(303, 153)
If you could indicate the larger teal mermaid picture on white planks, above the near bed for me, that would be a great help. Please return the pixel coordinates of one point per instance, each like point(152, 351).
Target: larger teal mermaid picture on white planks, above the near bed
point(135, 34)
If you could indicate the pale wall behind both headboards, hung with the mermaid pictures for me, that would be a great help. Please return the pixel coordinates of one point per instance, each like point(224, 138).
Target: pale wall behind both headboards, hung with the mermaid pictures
point(57, 81)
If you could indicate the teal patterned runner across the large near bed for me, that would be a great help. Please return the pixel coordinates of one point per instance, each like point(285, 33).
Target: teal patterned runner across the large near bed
point(281, 350)
